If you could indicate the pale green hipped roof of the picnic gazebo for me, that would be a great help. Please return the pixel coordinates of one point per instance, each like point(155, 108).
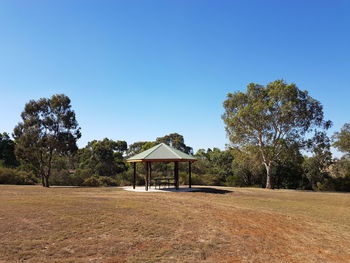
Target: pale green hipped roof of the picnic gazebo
point(161, 153)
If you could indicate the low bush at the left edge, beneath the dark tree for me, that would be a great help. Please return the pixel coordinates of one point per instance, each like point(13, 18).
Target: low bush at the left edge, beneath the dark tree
point(14, 176)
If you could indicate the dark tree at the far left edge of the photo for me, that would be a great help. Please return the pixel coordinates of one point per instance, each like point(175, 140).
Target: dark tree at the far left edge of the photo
point(7, 151)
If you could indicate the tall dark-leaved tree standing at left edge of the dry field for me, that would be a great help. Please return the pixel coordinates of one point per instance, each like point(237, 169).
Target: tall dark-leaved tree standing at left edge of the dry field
point(48, 129)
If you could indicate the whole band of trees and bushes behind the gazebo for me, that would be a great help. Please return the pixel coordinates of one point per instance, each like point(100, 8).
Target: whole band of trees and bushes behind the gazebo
point(277, 137)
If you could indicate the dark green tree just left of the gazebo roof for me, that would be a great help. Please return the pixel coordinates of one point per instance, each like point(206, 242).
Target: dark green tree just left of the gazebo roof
point(104, 158)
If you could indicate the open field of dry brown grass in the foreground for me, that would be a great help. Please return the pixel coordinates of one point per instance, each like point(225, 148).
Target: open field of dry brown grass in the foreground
point(112, 225)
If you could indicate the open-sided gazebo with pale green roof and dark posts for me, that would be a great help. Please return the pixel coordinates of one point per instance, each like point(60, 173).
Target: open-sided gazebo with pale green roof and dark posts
point(161, 153)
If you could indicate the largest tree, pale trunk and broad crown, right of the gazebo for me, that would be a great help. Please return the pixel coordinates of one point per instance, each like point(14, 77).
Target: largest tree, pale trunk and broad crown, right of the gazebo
point(271, 117)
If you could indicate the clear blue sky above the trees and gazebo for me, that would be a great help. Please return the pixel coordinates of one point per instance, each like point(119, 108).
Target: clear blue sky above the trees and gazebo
point(137, 70)
